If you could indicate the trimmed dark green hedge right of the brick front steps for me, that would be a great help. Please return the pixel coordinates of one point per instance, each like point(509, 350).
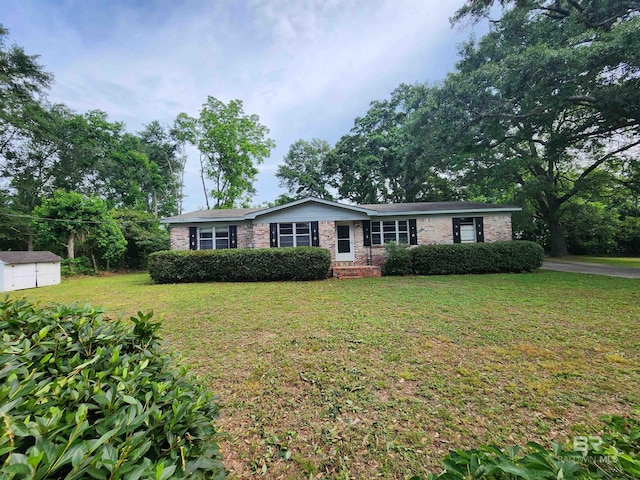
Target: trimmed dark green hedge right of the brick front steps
point(512, 256)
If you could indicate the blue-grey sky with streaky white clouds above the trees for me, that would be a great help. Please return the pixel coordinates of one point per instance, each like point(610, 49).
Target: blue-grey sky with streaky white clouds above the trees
point(307, 68)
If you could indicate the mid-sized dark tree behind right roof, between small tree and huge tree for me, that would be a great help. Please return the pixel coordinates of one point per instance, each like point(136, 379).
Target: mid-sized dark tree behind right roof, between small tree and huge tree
point(385, 157)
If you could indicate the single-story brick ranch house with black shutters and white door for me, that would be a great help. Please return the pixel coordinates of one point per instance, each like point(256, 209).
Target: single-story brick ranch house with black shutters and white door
point(354, 234)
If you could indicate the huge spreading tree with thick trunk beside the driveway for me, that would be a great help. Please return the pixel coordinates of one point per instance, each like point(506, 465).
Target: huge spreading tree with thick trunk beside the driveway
point(547, 103)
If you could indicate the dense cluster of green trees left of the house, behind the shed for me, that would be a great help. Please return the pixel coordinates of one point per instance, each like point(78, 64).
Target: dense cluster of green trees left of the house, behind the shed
point(66, 171)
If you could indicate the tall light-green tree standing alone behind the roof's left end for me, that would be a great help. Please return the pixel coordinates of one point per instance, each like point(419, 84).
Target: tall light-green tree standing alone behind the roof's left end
point(231, 144)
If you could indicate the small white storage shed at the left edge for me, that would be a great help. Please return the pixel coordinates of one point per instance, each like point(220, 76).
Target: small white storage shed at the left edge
point(20, 270)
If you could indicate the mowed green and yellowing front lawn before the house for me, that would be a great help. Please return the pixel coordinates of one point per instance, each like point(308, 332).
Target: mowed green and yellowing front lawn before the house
point(380, 378)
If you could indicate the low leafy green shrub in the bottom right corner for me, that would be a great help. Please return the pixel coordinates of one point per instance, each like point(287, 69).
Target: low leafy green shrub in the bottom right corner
point(613, 455)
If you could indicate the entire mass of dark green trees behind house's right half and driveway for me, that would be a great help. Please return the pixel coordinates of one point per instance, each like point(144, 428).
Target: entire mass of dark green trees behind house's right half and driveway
point(543, 112)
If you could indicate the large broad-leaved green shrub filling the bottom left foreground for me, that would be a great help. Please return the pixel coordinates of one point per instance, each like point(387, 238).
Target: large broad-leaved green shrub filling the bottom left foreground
point(82, 397)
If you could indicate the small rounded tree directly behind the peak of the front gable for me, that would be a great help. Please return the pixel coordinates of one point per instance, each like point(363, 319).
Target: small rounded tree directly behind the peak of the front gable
point(303, 172)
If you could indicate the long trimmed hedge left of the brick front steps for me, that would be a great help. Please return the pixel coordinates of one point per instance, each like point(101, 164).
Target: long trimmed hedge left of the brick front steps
point(242, 265)
